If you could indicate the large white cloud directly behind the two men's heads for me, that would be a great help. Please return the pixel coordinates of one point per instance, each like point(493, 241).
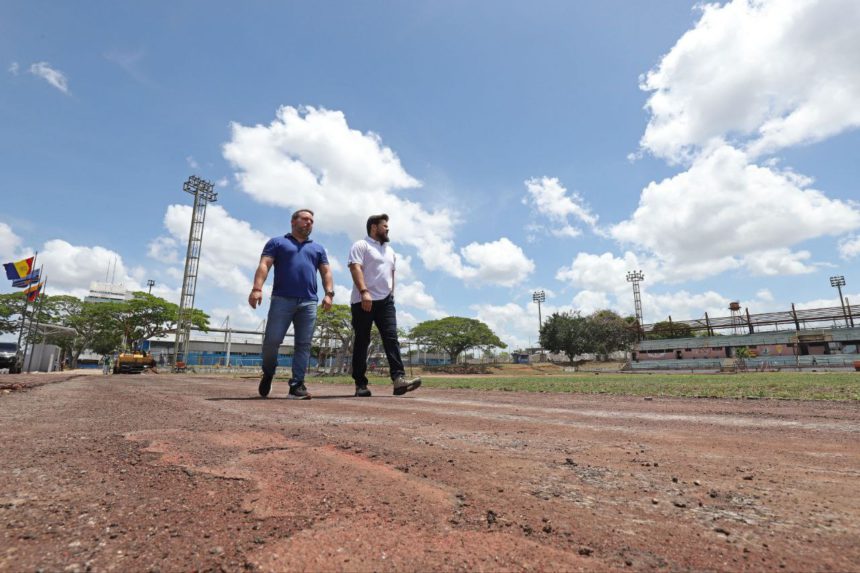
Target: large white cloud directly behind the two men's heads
point(308, 157)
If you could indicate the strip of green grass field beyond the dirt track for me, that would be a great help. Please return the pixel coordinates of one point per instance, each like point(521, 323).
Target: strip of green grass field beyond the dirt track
point(841, 386)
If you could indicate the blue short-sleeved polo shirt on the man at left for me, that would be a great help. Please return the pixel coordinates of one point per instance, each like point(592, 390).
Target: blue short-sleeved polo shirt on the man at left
point(295, 265)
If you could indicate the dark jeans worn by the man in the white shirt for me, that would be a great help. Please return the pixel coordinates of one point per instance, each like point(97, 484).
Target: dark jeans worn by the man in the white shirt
point(384, 315)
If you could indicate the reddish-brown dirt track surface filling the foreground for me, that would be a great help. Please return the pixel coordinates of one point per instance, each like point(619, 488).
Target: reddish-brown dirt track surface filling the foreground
point(175, 473)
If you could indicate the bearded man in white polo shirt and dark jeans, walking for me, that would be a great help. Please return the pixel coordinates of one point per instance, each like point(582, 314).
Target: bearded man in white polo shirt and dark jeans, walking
point(372, 263)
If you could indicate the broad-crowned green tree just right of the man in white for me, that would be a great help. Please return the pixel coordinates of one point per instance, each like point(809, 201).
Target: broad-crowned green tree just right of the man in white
point(455, 334)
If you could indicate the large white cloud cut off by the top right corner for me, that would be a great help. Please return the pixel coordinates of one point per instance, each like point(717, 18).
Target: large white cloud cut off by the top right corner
point(766, 73)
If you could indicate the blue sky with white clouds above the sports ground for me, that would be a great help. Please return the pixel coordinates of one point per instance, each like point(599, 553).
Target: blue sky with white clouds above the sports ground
point(517, 146)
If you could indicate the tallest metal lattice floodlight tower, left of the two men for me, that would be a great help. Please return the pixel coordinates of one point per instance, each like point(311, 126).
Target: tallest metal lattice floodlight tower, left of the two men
point(203, 194)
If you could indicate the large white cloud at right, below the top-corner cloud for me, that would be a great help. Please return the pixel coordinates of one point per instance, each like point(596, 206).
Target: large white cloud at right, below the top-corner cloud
point(725, 211)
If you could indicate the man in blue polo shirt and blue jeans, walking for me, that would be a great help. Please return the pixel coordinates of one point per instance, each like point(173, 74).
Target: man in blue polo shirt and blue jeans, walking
point(296, 259)
